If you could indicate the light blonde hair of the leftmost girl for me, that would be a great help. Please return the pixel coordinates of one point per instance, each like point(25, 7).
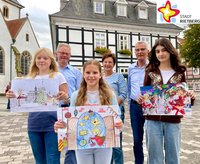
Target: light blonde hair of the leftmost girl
point(33, 71)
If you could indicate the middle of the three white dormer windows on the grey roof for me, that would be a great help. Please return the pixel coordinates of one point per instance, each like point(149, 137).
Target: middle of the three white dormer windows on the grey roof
point(121, 7)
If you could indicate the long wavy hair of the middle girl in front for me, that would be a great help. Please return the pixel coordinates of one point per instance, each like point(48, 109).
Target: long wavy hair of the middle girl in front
point(105, 93)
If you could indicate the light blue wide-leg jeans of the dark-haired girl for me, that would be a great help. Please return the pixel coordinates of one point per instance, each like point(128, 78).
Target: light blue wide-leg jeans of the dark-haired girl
point(163, 135)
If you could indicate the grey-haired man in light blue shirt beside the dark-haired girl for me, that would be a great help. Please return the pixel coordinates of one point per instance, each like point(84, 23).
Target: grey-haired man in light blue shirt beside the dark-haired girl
point(136, 74)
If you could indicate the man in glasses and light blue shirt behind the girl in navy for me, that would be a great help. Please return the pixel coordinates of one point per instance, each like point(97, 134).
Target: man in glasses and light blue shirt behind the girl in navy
point(73, 77)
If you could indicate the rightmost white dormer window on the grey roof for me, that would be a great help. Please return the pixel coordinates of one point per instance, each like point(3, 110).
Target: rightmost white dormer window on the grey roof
point(142, 10)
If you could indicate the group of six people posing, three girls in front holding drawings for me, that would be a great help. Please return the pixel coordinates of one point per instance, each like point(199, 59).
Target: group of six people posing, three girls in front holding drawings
point(105, 87)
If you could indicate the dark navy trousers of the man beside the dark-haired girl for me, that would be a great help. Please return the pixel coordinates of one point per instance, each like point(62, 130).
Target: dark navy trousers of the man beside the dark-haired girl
point(137, 124)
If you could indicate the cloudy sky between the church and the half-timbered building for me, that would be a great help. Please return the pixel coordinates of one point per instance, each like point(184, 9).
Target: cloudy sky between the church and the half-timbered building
point(38, 11)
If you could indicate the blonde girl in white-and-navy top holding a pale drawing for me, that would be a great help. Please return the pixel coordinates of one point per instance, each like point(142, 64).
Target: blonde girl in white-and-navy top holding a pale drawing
point(41, 133)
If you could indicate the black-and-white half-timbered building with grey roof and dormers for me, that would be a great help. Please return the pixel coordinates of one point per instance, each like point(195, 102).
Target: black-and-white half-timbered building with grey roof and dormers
point(114, 24)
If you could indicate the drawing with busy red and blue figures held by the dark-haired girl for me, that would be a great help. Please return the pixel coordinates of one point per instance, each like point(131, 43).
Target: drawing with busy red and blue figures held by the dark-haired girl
point(167, 99)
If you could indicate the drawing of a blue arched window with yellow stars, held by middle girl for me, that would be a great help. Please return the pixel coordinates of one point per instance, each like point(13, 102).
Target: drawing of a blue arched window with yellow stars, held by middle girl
point(88, 127)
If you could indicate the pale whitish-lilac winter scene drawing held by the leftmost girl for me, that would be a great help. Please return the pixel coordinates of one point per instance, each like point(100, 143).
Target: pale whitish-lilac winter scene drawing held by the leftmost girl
point(34, 95)
